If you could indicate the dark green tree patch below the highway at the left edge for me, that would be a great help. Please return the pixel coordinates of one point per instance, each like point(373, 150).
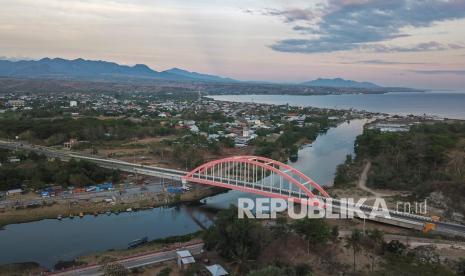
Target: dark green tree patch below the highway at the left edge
point(36, 171)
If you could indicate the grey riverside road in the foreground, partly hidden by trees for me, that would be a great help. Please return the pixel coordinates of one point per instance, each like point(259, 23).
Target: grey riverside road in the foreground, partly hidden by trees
point(133, 262)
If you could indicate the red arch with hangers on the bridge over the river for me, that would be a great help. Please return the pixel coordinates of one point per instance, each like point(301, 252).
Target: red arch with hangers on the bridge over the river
point(258, 175)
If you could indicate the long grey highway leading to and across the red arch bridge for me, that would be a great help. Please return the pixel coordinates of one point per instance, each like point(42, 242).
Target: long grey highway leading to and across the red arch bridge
point(401, 219)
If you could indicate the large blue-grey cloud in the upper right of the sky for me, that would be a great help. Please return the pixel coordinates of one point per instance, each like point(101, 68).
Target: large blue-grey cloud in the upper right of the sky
point(364, 24)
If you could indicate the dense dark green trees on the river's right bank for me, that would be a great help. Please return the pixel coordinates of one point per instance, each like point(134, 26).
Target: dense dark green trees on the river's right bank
point(430, 157)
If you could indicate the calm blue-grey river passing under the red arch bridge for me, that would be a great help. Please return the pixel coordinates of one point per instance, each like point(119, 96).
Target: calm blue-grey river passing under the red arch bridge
point(49, 241)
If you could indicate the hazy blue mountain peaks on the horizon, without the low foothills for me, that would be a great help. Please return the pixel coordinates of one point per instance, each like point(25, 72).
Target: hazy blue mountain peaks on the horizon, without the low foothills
point(58, 68)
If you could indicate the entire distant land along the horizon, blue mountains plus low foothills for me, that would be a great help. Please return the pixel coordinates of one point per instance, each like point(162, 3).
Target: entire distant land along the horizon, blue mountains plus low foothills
point(96, 75)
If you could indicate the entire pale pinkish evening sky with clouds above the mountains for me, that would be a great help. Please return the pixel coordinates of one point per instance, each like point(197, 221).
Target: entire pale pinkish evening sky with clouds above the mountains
point(415, 43)
